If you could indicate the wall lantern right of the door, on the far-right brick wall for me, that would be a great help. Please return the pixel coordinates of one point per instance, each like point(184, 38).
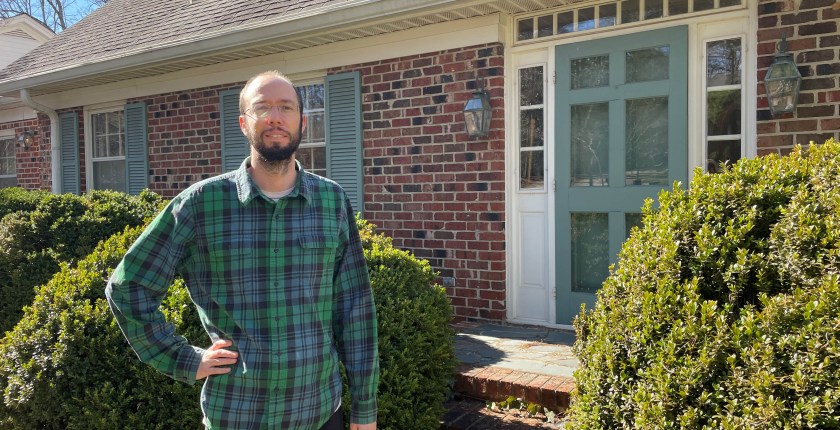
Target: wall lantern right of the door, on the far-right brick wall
point(782, 81)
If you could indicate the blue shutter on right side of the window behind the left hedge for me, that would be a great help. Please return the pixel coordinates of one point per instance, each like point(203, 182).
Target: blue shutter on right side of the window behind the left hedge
point(136, 154)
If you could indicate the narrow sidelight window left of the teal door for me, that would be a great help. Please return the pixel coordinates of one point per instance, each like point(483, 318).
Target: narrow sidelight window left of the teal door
point(531, 128)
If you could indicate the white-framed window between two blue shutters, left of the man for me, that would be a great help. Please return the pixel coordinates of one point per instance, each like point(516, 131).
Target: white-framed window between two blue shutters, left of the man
point(108, 150)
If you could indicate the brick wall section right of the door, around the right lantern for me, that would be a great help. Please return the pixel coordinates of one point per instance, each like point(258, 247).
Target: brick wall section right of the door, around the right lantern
point(811, 27)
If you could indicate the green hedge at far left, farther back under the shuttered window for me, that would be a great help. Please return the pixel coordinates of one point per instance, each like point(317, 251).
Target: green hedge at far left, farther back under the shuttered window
point(45, 229)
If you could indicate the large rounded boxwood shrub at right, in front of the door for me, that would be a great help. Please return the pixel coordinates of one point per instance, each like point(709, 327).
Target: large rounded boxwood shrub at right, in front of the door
point(723, 309)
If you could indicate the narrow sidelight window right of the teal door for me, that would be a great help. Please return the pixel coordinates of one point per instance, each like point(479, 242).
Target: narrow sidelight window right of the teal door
point(724, 101)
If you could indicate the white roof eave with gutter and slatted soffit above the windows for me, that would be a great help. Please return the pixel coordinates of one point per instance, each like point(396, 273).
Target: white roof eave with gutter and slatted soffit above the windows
point(445, 12)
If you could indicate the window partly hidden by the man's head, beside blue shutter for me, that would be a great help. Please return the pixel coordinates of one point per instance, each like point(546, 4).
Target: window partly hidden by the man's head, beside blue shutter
point(312, 152)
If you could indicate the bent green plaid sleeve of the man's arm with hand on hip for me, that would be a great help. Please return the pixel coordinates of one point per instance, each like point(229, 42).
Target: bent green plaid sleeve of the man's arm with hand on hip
point(138, 286)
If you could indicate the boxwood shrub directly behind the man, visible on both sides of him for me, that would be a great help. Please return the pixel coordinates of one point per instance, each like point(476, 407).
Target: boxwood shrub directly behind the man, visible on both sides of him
point(66, 364)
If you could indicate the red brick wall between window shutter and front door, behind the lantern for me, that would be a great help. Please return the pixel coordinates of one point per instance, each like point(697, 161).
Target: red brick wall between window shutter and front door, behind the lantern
point(437, 192)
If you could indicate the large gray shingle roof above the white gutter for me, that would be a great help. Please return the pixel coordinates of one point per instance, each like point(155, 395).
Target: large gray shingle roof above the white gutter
point(124, 27)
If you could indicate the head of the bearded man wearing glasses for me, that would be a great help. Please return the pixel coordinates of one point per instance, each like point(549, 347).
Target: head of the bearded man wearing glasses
point(272, 121)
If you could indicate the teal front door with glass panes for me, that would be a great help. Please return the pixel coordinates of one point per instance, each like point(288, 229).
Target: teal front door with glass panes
point(621, 138)
